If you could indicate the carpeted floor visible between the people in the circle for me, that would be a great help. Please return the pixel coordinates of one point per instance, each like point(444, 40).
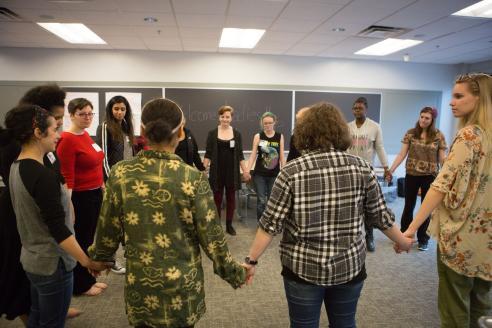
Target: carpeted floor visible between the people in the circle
point(400, 290)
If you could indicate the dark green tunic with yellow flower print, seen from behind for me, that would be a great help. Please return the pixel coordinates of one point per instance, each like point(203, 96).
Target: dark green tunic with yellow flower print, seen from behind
point(165, 210)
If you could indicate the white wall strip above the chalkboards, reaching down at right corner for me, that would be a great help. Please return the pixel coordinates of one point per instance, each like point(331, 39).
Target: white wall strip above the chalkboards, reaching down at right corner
point(210, 69)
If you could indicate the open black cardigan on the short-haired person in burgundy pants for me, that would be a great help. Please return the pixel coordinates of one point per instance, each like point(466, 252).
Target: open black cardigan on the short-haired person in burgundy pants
point(212, 153)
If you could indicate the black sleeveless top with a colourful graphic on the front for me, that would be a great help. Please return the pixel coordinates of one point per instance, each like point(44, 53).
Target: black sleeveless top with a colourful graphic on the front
point(268, 158)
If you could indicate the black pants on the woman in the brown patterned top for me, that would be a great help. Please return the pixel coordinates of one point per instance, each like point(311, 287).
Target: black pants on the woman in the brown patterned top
point(412, 185)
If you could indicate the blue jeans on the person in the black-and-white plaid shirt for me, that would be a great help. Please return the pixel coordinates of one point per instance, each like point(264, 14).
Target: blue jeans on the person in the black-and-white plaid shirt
point(305, 304)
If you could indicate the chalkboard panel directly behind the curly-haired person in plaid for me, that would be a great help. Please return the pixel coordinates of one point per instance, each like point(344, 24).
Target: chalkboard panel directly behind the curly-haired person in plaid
point(344, 101)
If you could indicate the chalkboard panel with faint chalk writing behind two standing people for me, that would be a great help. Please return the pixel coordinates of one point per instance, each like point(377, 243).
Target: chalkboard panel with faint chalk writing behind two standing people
point(200, 108)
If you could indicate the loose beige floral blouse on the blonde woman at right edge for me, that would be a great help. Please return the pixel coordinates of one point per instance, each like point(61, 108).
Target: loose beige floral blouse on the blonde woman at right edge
point(462, 223)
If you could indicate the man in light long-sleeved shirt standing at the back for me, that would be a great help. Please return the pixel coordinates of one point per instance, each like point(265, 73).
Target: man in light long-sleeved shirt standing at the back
point(367, 139)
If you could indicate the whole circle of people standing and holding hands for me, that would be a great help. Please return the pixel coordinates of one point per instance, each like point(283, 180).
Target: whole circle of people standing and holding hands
point(70, 202)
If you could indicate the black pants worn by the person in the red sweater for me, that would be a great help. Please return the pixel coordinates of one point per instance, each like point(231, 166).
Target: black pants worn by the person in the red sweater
point(87, 205)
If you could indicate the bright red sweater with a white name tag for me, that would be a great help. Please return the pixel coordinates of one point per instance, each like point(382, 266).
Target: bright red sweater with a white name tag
point(80, 162)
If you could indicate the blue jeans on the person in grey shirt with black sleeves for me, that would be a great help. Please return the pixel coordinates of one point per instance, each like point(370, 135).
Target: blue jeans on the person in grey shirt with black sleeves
point(50, 298)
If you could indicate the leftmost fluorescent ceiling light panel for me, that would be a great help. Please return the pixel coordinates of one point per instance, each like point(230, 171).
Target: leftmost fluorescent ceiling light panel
point(73, 33)
